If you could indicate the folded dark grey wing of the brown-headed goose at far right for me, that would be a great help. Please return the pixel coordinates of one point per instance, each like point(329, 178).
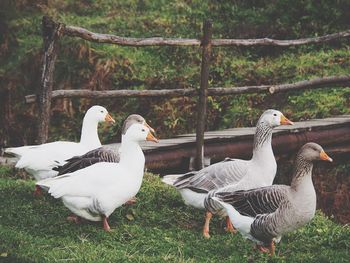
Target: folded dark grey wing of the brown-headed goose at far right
point(257, 201)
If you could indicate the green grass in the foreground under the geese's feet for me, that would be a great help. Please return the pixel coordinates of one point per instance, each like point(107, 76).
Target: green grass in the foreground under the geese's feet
point(158, 228)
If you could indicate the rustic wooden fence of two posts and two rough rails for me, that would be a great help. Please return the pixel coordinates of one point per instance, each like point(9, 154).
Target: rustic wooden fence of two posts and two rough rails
point(52, 31)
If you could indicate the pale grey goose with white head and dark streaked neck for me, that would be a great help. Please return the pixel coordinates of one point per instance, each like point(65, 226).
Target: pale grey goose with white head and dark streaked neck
point(194, 186)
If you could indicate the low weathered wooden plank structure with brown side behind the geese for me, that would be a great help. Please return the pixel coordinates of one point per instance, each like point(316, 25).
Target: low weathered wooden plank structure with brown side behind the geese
point(175, 154)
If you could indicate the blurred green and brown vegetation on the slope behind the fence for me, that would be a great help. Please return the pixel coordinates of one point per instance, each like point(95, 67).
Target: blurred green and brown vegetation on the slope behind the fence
point(84, 65)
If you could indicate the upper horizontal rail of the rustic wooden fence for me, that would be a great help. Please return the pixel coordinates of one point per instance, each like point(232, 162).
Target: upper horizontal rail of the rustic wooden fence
point(83, 33)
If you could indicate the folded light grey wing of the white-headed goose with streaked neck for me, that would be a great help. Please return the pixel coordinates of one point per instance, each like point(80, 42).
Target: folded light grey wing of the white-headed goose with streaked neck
point(214, 176)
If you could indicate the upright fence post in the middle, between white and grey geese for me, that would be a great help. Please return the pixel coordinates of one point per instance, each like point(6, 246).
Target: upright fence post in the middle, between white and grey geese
point(203, 93)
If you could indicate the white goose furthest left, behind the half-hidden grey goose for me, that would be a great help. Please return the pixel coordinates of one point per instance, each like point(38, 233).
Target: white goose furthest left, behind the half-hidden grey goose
point(38, 160)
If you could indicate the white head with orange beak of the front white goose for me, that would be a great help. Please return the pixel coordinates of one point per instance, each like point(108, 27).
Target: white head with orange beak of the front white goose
point(139, 132)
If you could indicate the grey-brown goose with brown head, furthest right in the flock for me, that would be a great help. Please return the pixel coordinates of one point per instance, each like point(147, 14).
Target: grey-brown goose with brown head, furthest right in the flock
point(264, 214)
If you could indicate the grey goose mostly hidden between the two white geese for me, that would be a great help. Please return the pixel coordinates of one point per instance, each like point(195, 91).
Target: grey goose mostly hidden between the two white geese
point(100, 154)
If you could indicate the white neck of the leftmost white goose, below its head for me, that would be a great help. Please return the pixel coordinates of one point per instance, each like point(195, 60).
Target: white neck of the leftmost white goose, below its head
point(89, 135)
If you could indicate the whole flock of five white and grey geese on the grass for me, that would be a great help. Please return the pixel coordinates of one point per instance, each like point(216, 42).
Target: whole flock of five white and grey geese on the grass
point(93, 181)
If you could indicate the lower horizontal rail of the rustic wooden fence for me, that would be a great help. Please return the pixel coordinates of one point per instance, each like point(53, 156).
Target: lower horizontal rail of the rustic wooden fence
point(333, 81)
